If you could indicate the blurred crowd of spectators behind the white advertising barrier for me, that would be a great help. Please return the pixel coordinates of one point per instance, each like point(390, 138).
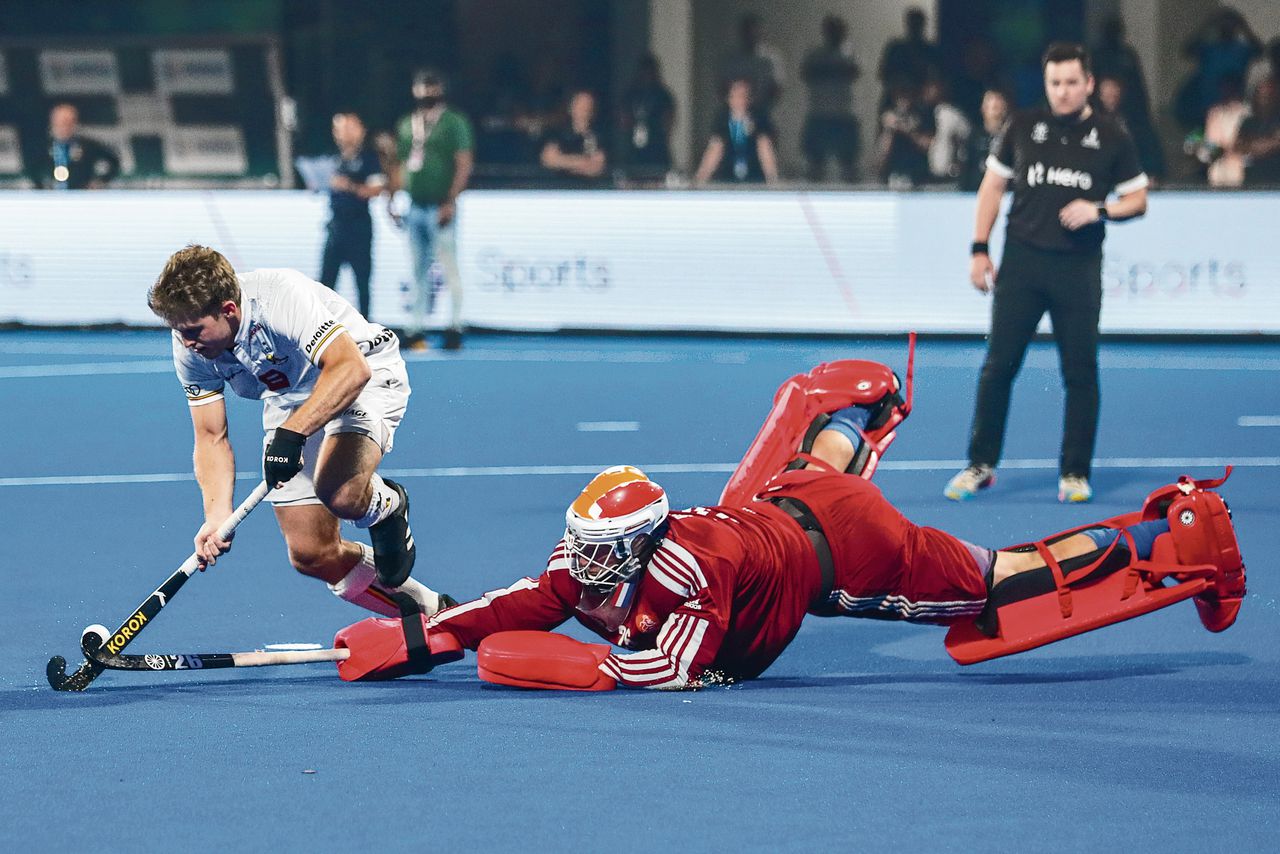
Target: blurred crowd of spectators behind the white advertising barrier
point(934, 126)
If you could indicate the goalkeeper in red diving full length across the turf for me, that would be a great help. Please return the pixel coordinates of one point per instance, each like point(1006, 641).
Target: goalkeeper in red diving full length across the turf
point(716, 595)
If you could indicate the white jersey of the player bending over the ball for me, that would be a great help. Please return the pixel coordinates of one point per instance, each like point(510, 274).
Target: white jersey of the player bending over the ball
point(287, 322)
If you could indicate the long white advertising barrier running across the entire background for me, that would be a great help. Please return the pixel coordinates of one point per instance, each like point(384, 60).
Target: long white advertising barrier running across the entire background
point(735, 262)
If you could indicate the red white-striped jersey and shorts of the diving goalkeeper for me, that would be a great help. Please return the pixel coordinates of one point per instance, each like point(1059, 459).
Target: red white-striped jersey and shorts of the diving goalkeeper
point(729, 588)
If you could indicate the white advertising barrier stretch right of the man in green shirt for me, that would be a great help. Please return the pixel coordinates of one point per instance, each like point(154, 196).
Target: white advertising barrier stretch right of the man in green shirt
point(839, 263)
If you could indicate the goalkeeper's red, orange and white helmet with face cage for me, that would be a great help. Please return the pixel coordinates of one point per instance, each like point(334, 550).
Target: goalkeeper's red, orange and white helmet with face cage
point(614, 527)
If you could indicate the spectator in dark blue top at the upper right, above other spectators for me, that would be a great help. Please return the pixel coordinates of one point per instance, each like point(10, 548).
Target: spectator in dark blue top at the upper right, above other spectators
point(1223, 48)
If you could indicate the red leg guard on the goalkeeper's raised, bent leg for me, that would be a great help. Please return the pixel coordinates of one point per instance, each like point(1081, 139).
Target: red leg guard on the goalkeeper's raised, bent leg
point(803, 399)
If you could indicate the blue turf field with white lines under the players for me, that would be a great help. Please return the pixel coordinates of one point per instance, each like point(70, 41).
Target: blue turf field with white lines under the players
point(1149, 737)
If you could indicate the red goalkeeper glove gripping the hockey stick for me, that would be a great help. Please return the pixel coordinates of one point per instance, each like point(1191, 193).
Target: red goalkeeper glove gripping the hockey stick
point(381, 650)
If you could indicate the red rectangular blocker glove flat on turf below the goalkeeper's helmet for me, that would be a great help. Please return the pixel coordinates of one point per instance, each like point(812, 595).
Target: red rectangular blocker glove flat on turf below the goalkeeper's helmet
point(543, 660)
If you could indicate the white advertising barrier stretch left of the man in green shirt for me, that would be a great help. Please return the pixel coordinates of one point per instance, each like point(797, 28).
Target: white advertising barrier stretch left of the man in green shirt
point(89, 258)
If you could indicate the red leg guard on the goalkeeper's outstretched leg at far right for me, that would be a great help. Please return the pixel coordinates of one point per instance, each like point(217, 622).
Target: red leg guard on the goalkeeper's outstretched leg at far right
point(1200, 558)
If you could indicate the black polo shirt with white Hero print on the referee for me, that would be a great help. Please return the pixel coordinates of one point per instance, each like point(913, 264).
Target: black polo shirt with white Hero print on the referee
point(1053, 162)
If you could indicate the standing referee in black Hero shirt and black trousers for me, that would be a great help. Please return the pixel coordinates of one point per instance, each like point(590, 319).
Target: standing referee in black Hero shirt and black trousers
point(1063, 163)
